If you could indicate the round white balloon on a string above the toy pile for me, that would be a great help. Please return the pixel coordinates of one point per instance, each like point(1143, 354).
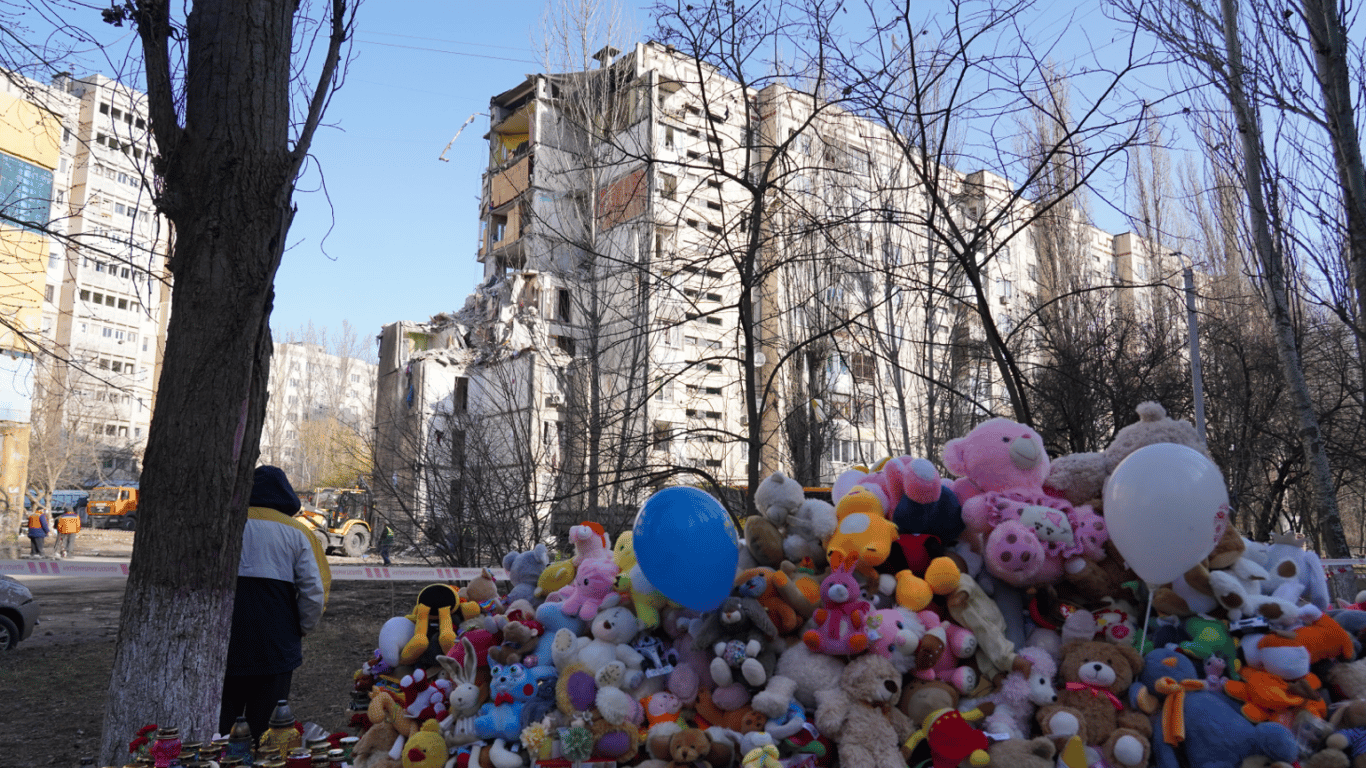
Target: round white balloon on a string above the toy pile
point(1166, 506)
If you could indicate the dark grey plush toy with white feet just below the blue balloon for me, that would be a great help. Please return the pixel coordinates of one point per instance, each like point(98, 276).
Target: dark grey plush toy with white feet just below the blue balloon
point(741, 636)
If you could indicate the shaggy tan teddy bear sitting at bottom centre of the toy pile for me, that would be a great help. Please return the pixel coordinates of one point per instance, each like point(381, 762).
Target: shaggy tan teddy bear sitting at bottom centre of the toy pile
point(861, 715)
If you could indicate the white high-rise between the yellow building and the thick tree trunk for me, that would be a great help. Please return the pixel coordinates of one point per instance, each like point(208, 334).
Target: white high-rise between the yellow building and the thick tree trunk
point(109, 293)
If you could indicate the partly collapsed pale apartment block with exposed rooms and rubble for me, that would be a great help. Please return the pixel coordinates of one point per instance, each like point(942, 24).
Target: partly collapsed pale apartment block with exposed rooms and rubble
point(656, 243)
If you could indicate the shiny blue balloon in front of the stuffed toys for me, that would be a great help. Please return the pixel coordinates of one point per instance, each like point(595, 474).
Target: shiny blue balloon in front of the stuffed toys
point(688, 547)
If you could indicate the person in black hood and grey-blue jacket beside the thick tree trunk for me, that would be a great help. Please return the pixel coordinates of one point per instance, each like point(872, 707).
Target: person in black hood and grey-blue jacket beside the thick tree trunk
point(283, 584)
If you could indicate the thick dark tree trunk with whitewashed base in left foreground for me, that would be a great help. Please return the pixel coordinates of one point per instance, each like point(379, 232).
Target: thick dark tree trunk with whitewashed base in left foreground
point(229, 177)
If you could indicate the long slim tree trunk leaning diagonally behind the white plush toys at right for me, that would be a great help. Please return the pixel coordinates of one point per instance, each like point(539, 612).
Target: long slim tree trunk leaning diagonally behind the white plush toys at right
point(1278, 303)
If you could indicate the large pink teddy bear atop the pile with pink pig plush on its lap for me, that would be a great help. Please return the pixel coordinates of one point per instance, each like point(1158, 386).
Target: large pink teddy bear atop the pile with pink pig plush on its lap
point(1027, 536)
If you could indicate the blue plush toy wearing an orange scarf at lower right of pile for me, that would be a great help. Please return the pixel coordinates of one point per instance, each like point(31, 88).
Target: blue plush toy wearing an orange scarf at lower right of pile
point(1210, 729)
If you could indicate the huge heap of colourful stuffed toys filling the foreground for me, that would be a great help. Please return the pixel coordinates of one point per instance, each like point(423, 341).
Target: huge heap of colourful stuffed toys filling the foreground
point(917, 621)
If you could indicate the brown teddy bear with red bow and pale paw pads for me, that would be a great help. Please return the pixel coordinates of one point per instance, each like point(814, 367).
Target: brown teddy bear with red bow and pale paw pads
point(1096, 678)
